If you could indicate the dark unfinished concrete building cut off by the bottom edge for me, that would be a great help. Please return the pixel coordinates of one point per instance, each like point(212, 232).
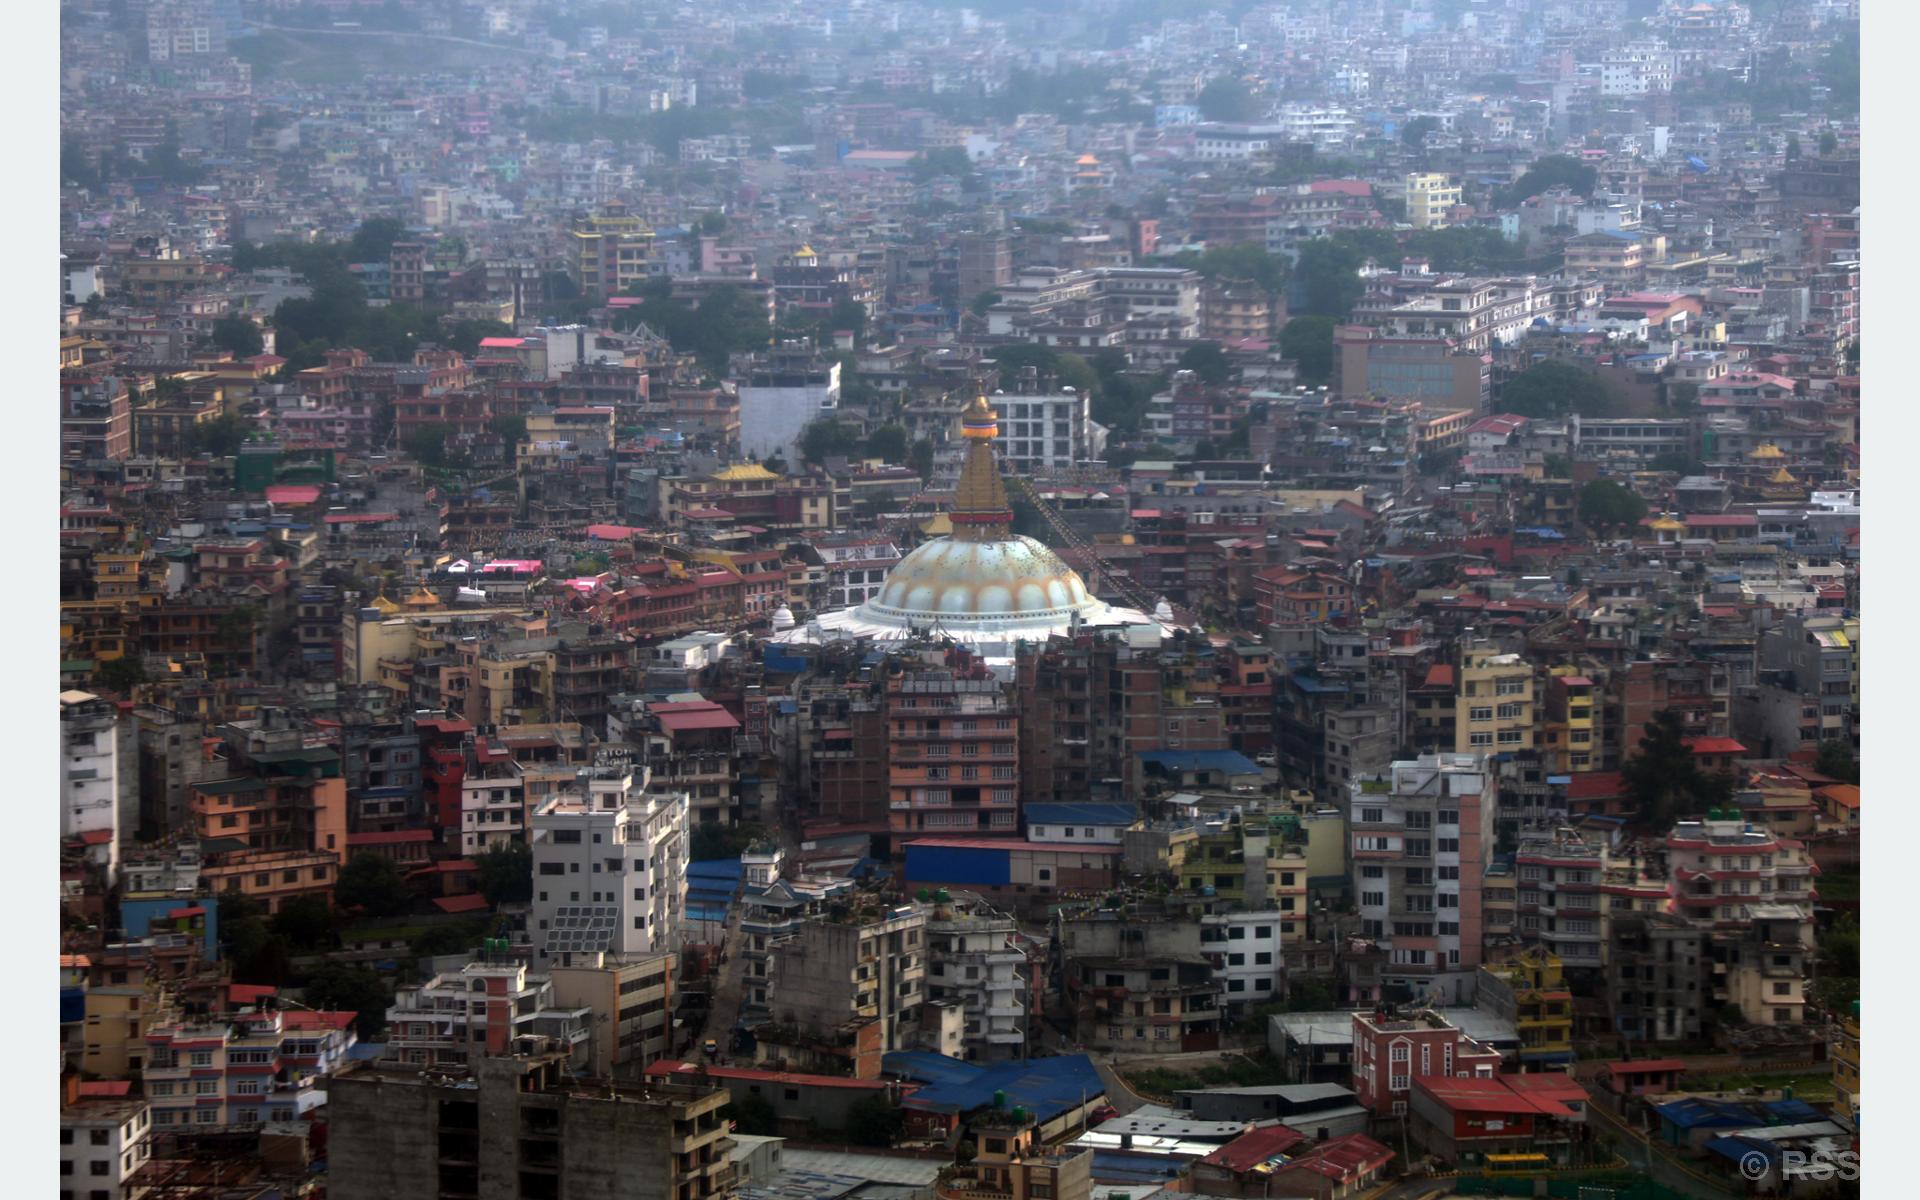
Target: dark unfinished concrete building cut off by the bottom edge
point(525, 1126)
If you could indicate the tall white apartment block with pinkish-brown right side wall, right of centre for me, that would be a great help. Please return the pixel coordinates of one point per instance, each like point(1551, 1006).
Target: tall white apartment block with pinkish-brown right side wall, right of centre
point(1424, 838)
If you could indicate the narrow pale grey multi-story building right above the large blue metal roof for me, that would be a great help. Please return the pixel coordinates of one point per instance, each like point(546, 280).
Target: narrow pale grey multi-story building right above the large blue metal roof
point(978, 963)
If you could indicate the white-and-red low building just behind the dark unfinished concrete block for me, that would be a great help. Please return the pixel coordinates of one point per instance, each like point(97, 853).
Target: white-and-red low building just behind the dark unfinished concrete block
point(483, 1011)
